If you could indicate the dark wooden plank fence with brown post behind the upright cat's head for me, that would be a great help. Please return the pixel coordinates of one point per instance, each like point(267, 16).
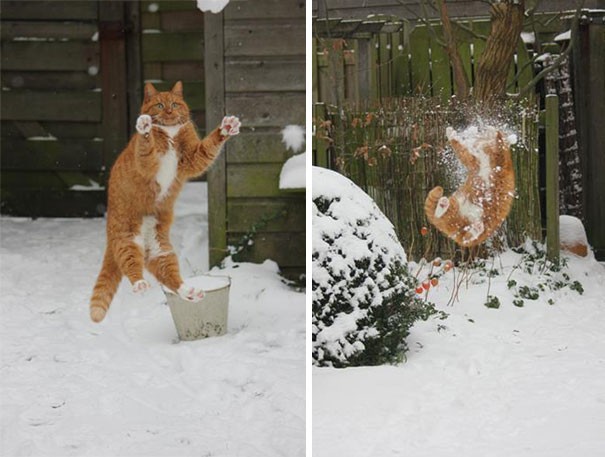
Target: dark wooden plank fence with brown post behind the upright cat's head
point(72, 77)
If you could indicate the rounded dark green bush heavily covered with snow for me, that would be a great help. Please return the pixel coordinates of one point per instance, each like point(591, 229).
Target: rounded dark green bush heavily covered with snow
point(364, 299)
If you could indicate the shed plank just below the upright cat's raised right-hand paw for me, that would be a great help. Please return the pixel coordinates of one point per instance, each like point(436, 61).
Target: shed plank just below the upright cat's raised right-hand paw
point(255, 147)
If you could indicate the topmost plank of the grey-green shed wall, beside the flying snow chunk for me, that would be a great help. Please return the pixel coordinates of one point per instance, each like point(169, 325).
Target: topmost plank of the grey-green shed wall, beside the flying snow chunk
point(268, 9)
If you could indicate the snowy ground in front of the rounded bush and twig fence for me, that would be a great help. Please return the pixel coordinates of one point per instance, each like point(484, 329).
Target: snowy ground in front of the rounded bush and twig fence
point(523, 382)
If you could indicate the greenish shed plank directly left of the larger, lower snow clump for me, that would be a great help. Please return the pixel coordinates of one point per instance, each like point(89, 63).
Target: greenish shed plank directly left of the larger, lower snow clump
point(253, 180)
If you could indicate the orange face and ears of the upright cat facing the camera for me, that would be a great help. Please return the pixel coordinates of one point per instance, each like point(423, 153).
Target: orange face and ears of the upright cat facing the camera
point(165, 108)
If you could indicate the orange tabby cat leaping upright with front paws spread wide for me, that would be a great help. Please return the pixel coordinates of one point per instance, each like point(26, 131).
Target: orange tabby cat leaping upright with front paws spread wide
point(143, 185)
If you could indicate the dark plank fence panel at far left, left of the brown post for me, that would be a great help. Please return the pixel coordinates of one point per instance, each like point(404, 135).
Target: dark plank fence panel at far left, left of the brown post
point(52, 116)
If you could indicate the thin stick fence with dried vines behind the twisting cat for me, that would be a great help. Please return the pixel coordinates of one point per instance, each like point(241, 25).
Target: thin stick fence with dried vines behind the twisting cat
point(397, 151)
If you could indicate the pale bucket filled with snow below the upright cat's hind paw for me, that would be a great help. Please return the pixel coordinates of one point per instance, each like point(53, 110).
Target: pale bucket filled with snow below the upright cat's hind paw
point(205, 318)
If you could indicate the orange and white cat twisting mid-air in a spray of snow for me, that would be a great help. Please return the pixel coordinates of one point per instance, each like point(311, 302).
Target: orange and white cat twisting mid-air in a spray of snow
point(474, 211)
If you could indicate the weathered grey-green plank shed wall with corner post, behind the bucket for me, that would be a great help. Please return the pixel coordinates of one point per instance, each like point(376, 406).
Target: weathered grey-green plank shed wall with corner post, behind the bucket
point(256, 71)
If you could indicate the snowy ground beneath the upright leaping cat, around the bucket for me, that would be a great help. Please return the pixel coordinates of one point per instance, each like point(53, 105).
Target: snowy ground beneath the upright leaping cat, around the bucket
point(127, 387)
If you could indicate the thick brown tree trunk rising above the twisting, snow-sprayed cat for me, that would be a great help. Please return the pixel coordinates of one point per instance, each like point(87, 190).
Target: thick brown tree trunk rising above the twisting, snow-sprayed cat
point(494, 64)
